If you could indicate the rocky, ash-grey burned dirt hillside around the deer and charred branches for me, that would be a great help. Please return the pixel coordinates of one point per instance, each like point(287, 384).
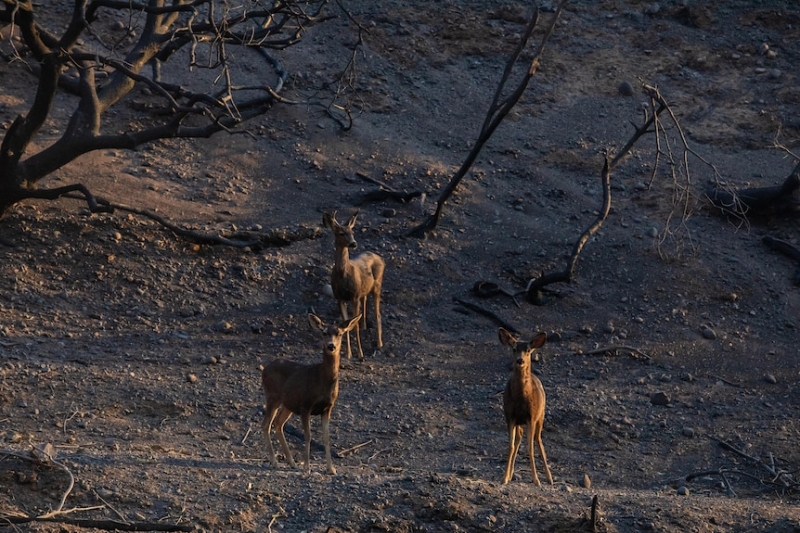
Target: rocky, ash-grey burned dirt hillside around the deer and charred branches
point(137, 354)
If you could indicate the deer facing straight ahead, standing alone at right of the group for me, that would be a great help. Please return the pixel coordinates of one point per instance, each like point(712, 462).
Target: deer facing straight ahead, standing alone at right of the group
point(523, 404)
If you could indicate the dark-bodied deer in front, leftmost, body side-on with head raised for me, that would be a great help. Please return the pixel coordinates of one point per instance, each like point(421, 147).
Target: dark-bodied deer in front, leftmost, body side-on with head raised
point(306, 390)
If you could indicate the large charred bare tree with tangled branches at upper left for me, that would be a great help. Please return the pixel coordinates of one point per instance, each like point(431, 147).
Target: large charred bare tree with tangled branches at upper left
point(109, 47)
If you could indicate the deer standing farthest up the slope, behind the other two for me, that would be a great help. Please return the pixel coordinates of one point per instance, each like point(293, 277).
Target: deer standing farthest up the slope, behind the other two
point(353, 280)
